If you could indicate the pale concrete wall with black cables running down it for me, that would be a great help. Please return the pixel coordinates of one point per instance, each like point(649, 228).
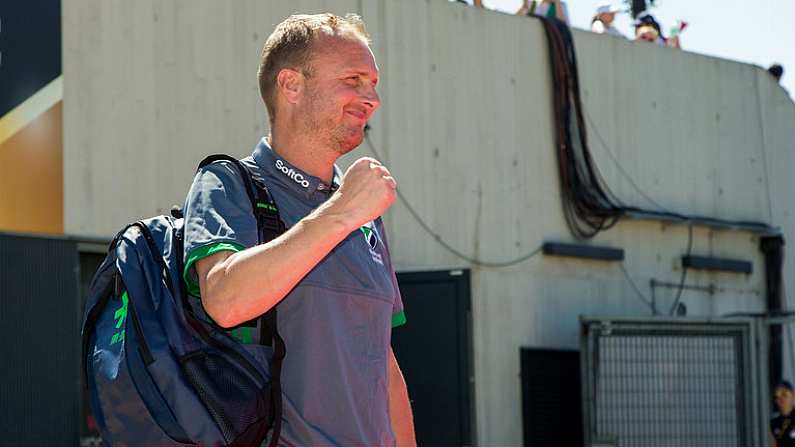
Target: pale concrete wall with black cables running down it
point(465, 126)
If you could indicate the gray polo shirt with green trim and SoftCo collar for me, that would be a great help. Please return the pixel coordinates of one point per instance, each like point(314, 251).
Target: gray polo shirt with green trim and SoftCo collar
point(336, 323)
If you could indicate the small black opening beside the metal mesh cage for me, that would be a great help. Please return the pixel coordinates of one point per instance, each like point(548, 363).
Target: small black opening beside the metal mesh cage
point(551, 403)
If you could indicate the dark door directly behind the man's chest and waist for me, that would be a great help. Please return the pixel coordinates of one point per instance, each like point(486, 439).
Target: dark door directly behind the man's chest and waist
point(433, 349)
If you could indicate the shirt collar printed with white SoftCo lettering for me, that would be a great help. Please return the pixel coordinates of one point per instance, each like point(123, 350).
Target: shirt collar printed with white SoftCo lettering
point(289, 175)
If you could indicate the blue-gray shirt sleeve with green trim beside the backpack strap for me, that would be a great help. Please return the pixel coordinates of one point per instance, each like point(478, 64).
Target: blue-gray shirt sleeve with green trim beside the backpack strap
point(218, 217)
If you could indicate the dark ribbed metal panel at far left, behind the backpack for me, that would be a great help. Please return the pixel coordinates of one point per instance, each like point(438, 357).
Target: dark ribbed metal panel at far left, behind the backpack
point(39, 329)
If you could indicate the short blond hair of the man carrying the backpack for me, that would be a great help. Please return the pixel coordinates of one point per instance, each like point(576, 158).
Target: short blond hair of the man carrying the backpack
point(290, 44)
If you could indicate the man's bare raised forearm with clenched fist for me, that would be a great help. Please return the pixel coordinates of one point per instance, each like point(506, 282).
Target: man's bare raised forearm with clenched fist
point(238, 286)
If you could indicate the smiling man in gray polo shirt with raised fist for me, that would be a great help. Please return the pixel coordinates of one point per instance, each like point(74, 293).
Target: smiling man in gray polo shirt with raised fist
point(330, 273)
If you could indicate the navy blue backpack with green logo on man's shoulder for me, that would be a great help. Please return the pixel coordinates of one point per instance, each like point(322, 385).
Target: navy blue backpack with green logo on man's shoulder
point(158, 370)
